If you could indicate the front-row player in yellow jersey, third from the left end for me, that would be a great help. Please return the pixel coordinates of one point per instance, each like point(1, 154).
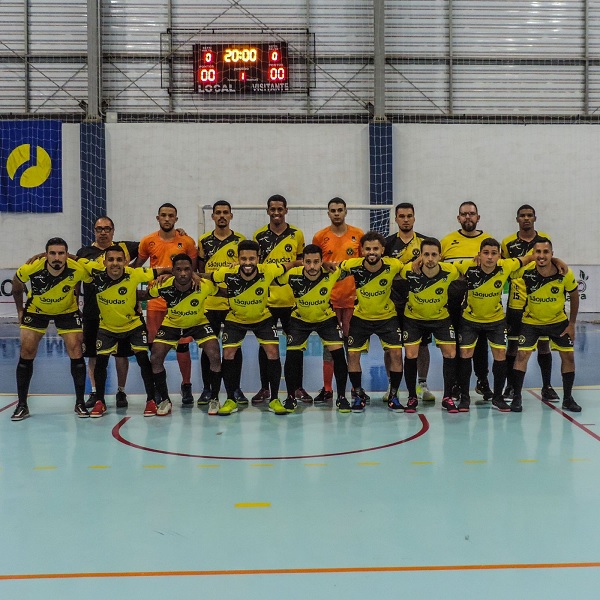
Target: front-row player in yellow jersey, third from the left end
point(185, 318)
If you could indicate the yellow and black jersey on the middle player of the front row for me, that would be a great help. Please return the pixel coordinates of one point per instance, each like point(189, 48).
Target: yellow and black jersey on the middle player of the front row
point(313, 298)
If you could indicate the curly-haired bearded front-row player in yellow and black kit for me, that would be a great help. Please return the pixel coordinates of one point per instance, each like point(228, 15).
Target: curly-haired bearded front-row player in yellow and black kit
point(374, 314)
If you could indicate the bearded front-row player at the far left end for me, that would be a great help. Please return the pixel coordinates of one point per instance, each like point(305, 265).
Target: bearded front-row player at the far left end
point(51, 297)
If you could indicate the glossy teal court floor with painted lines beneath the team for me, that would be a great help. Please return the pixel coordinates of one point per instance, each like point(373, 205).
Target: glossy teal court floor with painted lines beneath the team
point(314, 504)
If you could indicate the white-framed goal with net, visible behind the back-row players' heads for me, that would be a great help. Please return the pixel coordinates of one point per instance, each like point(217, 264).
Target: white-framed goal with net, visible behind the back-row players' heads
point(308, 218)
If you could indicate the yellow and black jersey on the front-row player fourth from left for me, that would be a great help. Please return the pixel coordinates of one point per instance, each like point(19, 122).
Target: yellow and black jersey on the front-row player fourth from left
point(248, 299)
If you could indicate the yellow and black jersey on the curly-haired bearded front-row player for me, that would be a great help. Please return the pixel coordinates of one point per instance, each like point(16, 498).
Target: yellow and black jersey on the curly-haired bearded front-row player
point(373, 300)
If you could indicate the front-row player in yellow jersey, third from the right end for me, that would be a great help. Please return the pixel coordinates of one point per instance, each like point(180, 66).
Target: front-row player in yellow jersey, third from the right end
point(426, 312)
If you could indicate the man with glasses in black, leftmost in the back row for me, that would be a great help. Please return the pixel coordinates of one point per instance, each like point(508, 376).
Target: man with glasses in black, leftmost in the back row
point(104, 231)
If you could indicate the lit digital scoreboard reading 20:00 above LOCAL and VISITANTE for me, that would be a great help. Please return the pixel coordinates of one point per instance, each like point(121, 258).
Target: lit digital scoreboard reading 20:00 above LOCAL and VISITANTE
point(241, 68)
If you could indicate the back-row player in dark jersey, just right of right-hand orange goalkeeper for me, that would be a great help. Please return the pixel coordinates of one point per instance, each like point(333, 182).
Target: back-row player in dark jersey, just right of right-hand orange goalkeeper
point(406, 246)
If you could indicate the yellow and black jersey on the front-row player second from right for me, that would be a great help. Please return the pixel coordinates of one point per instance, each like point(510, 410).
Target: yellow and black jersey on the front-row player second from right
point(484, 290)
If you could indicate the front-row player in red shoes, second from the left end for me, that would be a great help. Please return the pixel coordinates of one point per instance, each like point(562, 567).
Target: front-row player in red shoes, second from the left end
point(116, 289)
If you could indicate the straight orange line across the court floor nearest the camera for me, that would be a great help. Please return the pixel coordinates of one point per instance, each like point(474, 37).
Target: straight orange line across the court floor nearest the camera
point(320, 571)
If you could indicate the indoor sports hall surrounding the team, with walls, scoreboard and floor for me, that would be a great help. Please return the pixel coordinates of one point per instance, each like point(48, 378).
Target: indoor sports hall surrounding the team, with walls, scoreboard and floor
point(116, 107)
